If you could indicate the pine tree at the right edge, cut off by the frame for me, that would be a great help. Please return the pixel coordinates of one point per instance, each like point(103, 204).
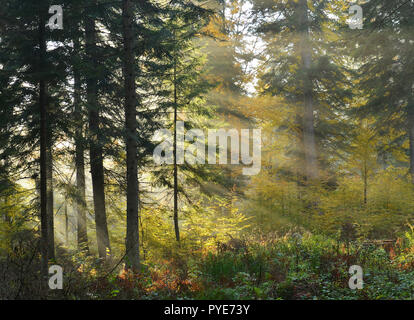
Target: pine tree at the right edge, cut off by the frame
point(385, 50)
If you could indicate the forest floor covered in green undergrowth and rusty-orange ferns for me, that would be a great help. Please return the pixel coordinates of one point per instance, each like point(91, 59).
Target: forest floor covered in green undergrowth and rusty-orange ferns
point(289, 267)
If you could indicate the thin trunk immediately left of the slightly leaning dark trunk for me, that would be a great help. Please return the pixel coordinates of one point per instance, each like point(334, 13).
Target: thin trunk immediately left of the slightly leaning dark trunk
point(82, 234)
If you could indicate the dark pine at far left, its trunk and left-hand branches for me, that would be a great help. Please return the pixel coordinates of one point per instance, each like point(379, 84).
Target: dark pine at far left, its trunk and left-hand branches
point(34, 83)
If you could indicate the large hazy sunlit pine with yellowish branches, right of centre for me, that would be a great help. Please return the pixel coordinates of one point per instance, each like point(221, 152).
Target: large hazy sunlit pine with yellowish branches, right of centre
point(303, 65)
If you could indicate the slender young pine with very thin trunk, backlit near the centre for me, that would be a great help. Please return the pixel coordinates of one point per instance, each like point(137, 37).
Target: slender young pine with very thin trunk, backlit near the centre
point(184, 89)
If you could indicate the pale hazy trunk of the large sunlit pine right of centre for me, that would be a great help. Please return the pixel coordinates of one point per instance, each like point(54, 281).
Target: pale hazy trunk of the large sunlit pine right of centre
point(311, 168)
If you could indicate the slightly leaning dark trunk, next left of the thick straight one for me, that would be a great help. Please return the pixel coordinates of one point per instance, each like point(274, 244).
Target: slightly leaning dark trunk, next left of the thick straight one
point(95, 147)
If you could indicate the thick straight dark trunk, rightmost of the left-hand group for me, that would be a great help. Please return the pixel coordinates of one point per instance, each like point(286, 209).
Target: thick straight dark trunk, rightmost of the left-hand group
point(132, 234)
